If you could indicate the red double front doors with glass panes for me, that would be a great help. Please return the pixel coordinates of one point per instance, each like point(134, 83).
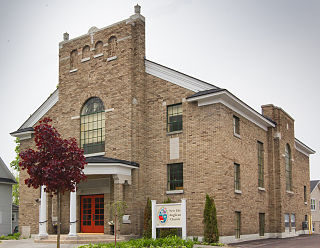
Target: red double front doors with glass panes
point(92, 214)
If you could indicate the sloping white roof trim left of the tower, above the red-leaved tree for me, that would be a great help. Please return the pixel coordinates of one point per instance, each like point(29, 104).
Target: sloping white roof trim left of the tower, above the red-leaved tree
point(42, 110)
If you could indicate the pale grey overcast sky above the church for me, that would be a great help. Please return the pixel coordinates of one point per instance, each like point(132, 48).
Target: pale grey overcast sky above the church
point(263, 51)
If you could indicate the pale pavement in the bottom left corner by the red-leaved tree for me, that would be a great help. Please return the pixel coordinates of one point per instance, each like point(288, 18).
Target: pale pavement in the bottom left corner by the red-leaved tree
point(29, 243)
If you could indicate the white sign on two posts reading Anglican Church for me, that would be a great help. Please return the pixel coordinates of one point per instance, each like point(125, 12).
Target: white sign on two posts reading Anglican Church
point(169, 215)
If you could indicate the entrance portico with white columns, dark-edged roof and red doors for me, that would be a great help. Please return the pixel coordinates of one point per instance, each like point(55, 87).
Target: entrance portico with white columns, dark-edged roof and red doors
point(89, 212)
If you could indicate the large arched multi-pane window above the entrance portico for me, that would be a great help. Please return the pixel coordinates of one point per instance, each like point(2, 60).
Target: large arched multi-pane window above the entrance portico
point(92, 126)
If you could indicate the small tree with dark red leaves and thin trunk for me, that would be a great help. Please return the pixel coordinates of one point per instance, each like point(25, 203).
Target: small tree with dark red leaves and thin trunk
point(57, 163)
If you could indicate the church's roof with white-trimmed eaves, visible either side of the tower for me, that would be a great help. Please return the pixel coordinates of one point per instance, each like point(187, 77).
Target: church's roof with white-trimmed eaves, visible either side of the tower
point(204, 93)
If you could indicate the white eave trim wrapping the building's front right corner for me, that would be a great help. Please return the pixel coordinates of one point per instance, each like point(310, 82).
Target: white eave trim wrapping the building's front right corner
point(230, 101)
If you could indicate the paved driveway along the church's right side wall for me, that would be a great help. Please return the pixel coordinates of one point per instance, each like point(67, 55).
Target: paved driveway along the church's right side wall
point(303, 241)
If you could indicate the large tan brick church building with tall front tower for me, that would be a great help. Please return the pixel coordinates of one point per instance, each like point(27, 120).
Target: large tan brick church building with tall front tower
point(149, 131)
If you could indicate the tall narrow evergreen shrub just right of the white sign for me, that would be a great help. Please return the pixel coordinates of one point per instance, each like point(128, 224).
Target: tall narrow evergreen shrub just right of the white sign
point(211, 233)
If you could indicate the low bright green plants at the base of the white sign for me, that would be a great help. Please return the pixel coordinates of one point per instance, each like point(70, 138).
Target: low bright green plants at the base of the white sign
point(168, 242)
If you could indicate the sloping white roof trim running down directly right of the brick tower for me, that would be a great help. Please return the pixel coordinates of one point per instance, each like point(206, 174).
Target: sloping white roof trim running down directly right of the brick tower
point(175, 77)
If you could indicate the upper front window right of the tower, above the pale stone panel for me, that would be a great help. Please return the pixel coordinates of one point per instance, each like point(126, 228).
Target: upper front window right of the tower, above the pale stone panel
point(174, 118)
